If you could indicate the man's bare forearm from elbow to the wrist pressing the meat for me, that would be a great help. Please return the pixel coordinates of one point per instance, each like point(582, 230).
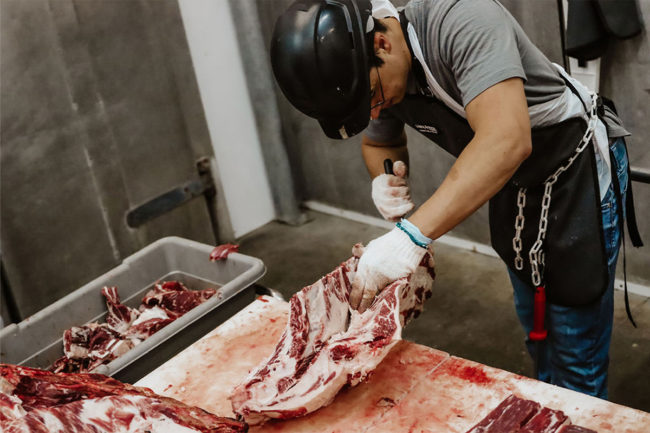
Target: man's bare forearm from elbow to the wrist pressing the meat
point(477, 175)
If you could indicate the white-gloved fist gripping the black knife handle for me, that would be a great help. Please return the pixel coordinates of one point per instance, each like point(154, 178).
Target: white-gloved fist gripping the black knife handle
point(391, 193)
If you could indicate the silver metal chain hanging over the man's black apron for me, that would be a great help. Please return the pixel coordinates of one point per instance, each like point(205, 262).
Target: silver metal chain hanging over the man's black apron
point(536, 254)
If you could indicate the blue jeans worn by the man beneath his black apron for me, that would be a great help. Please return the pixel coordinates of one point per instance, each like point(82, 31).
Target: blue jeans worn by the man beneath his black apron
point(575, 354)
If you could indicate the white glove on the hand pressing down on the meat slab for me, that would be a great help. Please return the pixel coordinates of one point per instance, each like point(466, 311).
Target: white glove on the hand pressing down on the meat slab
point(385, 259)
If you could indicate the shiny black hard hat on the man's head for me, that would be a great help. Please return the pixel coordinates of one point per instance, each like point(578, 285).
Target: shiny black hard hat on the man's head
point(319, 53)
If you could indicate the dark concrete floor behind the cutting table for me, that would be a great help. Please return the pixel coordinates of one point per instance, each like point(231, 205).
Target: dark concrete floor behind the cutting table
point(471, 313)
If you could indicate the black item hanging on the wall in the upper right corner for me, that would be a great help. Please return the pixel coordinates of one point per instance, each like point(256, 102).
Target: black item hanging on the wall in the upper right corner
point(592, 24)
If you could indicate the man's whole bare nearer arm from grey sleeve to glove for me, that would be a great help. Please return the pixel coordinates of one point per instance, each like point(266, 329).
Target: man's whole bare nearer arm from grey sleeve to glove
point(499, 118)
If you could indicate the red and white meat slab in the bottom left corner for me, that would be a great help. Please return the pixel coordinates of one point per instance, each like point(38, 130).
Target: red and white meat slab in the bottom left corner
point(82, 403)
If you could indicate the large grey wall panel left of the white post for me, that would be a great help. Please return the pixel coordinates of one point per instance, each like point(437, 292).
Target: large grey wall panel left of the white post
point(100, 112)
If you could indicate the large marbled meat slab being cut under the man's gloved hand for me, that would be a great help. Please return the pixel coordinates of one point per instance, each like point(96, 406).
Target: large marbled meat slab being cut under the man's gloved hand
point(326, 345)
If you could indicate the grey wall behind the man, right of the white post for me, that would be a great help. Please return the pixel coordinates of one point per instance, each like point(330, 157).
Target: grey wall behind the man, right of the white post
point(333, 171)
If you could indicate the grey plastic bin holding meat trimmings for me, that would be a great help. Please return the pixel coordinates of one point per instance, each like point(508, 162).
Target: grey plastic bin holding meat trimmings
point(37, 340)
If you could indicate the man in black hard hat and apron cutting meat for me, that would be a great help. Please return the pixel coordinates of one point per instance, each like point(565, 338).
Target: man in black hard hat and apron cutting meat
point(527, 137)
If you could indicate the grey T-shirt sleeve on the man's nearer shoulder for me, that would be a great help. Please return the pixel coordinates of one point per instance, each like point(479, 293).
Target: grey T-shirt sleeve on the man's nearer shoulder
point(478, 42)
